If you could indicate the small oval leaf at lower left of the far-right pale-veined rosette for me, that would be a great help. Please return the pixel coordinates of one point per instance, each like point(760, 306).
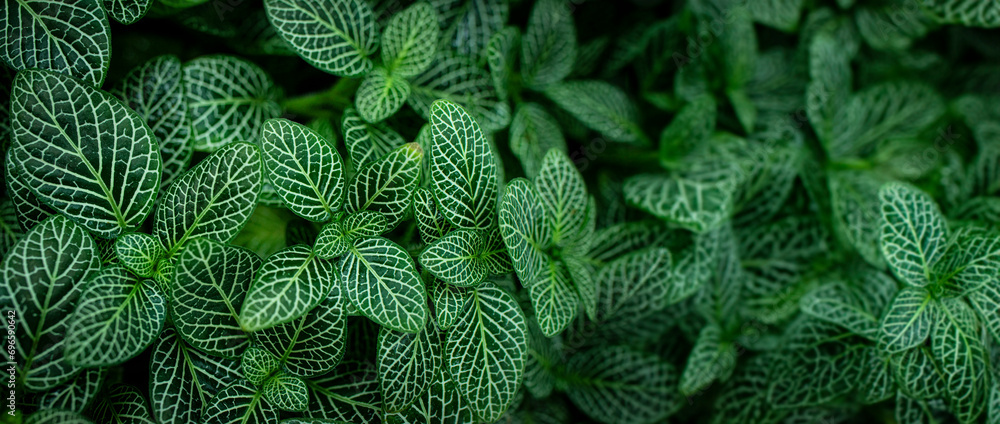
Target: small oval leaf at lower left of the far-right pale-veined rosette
point(908, 321)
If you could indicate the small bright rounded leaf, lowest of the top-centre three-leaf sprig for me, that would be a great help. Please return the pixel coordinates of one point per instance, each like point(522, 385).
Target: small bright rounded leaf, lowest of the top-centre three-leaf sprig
point(380, 95)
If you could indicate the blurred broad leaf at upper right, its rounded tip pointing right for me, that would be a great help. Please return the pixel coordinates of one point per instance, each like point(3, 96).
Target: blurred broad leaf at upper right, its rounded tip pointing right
point(892, 110)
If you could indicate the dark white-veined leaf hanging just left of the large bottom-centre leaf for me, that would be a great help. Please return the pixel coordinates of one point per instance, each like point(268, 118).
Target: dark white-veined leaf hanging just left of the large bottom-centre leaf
point(407, 364)
